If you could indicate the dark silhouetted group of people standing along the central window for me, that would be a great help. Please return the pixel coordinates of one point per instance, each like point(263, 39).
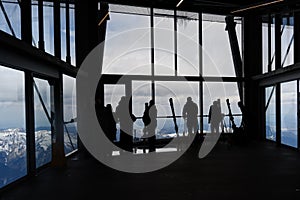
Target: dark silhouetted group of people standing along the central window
point(123, 115)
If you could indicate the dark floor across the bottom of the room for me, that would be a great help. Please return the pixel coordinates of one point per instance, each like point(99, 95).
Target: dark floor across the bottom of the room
point(252, 171)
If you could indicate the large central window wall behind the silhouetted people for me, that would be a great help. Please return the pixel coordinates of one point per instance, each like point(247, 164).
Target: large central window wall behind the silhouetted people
point(173, 47)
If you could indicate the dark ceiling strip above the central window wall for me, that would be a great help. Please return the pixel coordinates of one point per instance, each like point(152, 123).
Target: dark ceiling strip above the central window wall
point(215, 6)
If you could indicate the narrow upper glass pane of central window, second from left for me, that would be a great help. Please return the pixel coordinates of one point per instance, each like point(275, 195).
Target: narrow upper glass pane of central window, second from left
point(164, 43)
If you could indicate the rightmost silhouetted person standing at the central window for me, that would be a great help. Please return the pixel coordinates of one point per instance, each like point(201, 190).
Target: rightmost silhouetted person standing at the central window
point(215, 117)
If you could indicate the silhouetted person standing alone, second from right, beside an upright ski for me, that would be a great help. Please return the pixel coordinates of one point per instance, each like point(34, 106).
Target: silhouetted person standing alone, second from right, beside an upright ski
point(189, 113)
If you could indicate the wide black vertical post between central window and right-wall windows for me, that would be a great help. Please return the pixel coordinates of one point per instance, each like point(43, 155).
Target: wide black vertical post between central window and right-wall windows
point(252, 26)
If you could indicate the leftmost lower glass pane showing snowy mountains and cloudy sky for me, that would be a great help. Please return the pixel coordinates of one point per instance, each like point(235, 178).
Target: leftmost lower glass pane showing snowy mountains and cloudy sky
point(13, 157)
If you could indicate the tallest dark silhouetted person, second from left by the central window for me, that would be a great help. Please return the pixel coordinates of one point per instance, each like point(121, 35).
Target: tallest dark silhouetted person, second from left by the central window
point(126, 119)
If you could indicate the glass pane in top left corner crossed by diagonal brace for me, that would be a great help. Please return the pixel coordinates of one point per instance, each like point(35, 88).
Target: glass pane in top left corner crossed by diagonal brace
point(13, 12)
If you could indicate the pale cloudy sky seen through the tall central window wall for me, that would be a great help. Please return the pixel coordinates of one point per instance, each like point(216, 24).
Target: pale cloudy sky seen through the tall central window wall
point(132, 56)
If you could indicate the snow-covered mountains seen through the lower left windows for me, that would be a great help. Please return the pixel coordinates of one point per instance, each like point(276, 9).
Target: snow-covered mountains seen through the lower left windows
point(13, 155)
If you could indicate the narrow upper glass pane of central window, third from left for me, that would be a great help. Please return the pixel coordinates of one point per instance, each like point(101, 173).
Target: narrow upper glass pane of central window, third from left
point(188, 46)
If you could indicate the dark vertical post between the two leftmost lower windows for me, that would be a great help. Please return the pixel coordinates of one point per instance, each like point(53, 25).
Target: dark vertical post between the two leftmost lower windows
point(30, 139)
